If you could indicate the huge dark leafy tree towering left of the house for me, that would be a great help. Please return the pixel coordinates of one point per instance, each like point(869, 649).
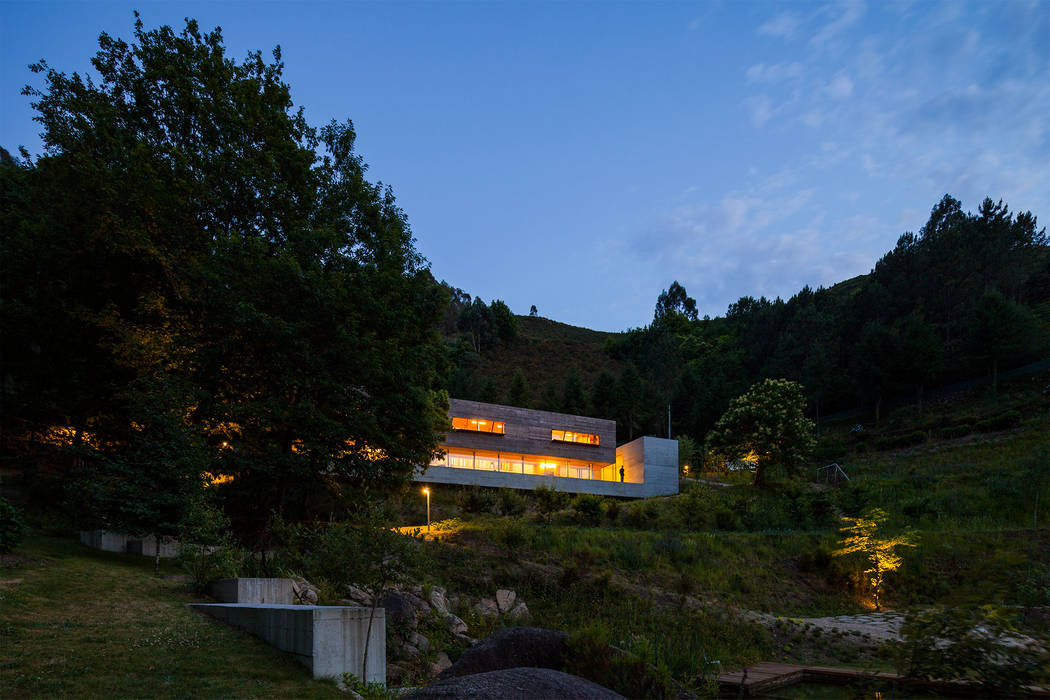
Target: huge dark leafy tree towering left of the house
point(188, 235)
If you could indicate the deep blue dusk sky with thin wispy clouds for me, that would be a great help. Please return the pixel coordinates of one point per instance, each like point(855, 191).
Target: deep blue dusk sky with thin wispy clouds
point(580, 157)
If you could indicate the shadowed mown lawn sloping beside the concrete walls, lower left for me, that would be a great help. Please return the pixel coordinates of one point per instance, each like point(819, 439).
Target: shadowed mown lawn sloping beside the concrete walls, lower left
point(78, 623)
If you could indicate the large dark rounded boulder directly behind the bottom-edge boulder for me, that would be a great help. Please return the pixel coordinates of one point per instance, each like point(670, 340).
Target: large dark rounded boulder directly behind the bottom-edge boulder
point(513, 648)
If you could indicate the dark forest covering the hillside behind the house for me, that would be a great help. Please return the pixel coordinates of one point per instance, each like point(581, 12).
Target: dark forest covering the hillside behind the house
point(964, 299)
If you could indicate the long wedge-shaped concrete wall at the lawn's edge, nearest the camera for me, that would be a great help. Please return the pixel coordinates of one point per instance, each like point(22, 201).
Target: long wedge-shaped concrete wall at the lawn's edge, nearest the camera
point(329, 641)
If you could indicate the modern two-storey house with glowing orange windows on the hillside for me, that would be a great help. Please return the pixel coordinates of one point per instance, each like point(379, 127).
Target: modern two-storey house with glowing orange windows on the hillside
point(506, 447)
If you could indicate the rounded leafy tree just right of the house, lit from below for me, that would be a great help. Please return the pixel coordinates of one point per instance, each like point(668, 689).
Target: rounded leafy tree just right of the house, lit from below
point(767, 423)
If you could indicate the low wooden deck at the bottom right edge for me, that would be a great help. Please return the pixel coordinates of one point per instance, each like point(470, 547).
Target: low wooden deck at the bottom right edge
point(765, 677)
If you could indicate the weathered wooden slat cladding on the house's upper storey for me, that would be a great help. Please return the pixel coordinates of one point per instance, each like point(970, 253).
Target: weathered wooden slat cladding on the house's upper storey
point(529, 432)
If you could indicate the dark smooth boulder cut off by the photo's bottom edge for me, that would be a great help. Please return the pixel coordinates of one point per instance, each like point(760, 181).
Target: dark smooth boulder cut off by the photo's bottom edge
point(515, 685)
